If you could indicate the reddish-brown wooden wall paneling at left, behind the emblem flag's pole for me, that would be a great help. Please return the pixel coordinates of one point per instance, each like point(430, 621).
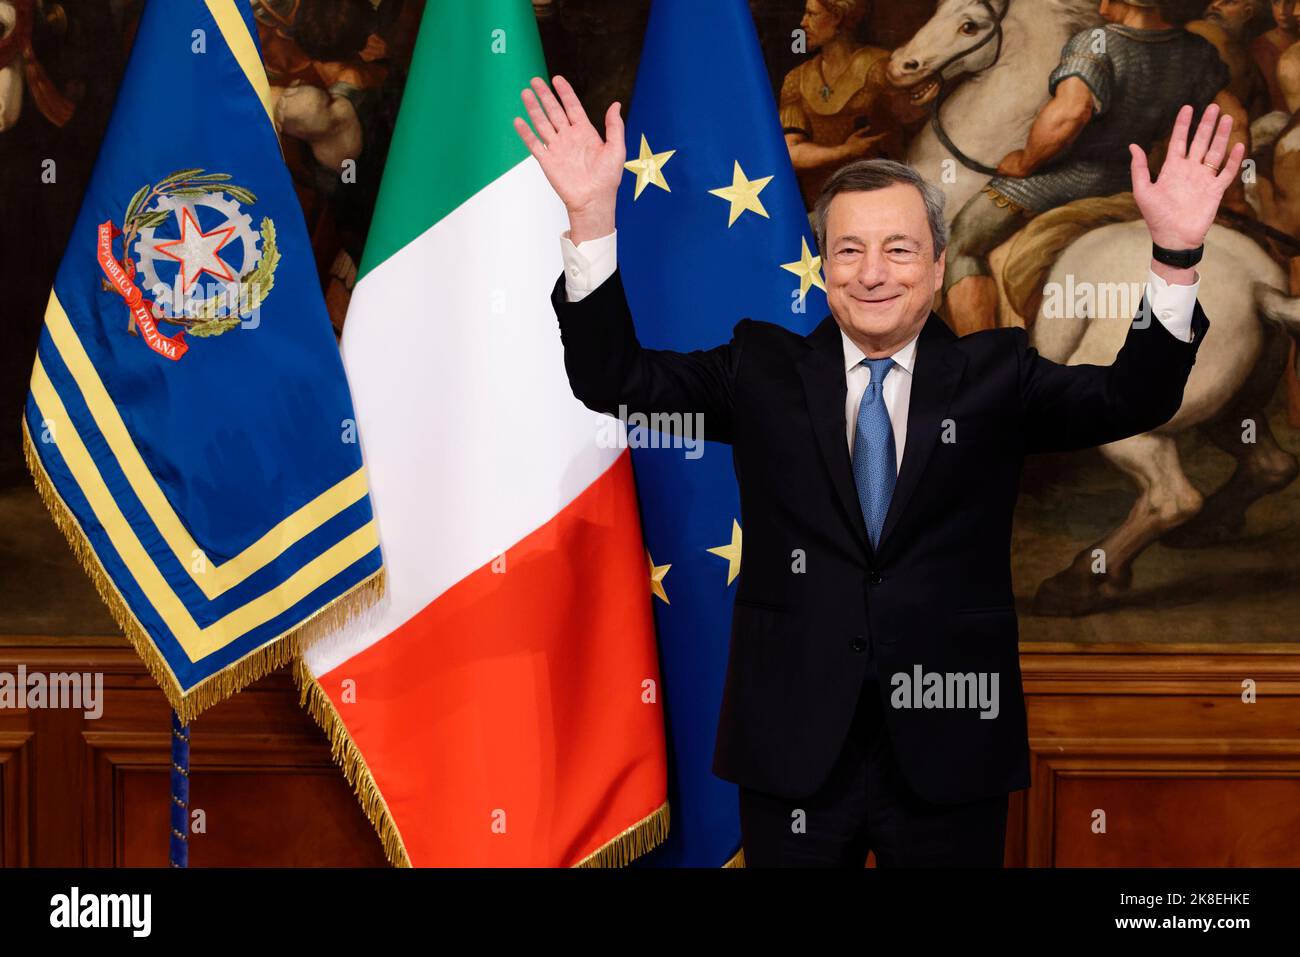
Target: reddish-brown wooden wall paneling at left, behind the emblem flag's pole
point(261, 770)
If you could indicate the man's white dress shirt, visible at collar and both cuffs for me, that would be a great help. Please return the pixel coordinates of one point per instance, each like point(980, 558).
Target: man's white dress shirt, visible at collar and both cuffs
point(593, 262)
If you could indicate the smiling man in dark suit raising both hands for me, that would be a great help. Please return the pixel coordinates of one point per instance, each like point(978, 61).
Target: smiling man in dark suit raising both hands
point(873, 696)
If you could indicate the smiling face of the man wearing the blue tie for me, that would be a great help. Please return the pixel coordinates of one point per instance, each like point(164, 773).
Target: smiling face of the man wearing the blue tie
point(881, 270)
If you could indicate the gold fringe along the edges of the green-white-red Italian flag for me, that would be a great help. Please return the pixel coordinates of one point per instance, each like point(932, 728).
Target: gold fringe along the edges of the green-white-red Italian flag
point(647, 834)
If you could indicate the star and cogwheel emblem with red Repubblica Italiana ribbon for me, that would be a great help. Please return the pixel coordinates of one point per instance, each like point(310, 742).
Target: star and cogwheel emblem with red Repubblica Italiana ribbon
point(206, 276)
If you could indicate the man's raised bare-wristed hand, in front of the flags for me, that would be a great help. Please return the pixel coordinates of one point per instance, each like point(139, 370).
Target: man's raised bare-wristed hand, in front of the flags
point(582, 168)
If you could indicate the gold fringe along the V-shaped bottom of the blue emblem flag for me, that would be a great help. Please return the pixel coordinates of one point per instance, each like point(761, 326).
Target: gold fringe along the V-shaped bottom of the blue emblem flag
point(239, 675)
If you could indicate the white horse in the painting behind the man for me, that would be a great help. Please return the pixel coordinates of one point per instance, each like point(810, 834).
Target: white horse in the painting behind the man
point(1003, 51)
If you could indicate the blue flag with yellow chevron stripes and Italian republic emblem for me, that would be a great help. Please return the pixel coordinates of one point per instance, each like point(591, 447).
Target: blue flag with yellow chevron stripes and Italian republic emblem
point(189, 423)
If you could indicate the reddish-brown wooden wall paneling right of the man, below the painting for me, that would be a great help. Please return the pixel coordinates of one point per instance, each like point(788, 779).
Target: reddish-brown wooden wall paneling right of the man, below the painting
point(1186, 773)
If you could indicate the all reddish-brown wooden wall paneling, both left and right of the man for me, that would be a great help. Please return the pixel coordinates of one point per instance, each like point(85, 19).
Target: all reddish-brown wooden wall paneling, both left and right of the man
point(1158, 737)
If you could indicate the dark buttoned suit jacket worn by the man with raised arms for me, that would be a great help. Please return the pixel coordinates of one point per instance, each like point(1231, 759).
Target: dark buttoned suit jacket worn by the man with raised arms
point(938, 591)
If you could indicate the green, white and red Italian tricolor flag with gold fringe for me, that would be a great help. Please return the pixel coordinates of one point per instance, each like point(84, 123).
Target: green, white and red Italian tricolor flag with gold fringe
point(502, 707)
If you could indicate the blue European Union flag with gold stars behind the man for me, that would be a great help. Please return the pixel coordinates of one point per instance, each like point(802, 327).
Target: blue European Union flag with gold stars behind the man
point(712, 229)
